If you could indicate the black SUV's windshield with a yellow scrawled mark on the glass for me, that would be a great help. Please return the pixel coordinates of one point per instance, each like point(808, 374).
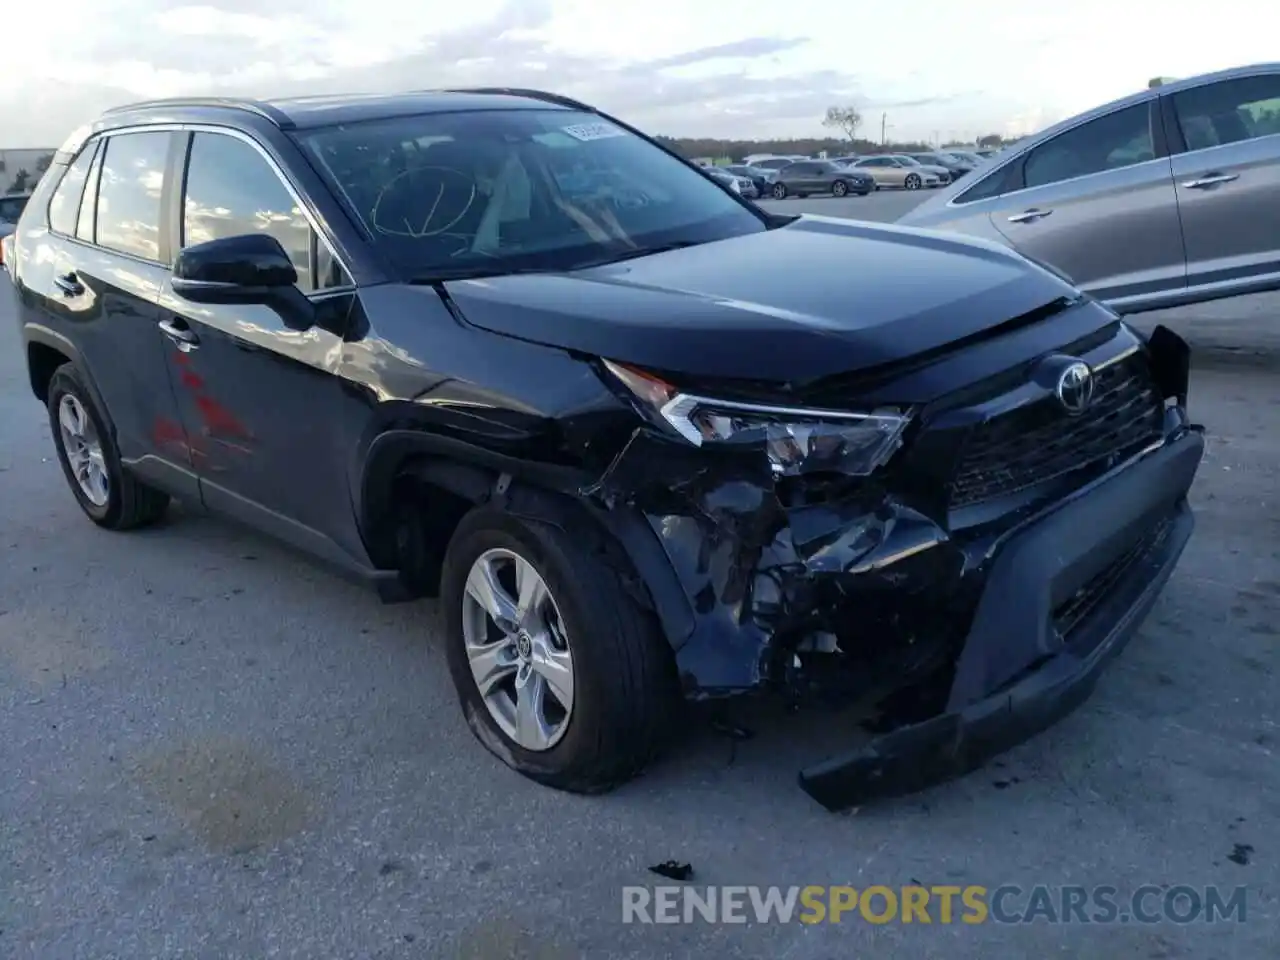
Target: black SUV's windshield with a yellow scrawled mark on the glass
point(501, 191)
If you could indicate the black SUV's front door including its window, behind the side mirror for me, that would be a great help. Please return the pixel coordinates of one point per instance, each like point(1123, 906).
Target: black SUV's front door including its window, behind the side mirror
point(263, 404)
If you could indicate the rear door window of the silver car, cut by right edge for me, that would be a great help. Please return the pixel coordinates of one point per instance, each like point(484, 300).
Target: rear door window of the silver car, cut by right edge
point(1229, 112)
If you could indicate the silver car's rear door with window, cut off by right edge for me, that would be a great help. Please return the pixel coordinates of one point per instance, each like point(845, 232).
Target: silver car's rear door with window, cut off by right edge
point(1229, 182)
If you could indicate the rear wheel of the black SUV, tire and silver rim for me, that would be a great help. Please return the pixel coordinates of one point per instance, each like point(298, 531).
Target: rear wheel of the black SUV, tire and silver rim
point(121, 502)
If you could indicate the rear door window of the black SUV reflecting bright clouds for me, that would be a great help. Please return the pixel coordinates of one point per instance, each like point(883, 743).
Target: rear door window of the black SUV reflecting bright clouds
point(129, 194)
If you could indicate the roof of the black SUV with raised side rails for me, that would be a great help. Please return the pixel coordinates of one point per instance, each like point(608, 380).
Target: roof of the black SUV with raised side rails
point(323, 111)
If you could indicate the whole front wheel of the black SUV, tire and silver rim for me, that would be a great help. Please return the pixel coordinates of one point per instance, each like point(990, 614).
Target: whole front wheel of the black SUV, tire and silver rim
point(561, 674)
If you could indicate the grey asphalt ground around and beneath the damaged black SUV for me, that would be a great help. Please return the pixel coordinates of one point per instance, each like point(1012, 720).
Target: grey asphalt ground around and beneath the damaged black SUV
point(212, 749)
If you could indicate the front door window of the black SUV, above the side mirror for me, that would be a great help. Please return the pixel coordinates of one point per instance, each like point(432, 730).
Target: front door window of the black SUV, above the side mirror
point(232, 190)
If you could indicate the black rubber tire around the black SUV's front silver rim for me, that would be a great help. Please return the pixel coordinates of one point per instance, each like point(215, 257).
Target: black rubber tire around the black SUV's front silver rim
point(625, 694)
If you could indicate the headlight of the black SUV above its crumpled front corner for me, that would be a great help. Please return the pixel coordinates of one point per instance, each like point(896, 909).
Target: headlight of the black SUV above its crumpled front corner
point(798, 441)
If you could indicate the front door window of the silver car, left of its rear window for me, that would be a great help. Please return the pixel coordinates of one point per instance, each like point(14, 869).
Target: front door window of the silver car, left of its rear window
point(1110, 143)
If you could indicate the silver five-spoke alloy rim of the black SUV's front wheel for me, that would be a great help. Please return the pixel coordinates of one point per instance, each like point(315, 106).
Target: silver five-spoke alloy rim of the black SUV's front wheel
point(518, 650)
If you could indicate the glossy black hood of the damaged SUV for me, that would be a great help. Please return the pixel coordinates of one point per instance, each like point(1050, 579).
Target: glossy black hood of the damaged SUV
point(808, 300)
